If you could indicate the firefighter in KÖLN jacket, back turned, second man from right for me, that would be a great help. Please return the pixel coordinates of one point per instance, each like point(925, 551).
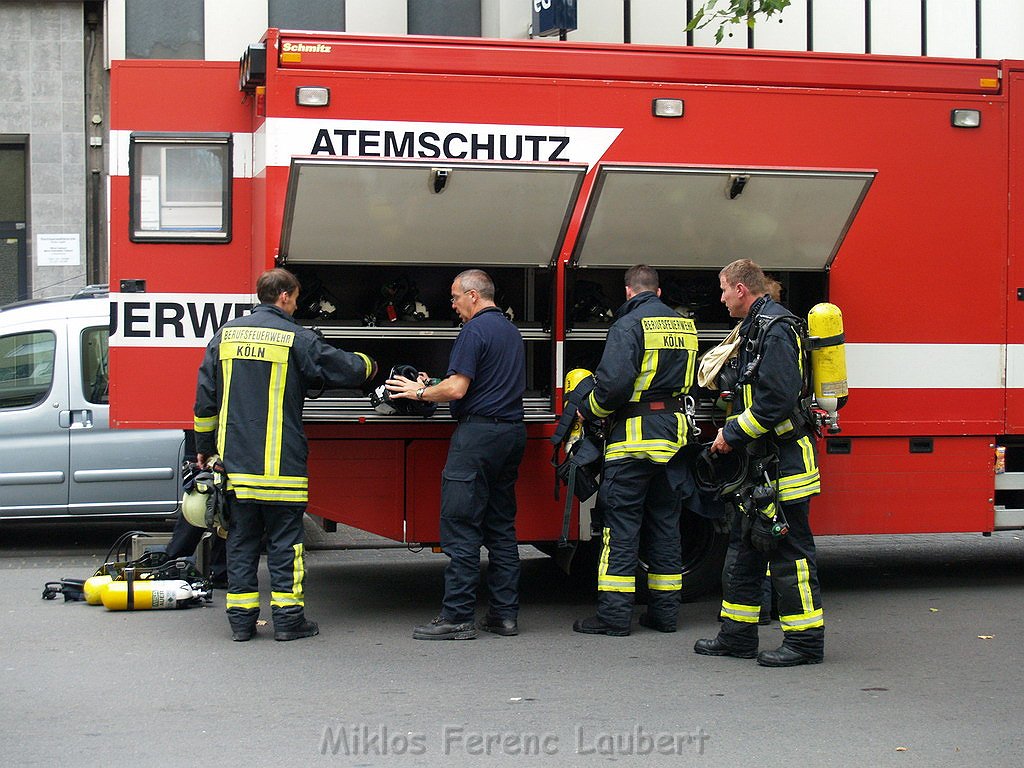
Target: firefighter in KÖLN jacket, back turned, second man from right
point(648, 366)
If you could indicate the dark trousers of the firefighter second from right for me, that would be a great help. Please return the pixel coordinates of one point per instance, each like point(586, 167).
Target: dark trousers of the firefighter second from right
point(641, 505)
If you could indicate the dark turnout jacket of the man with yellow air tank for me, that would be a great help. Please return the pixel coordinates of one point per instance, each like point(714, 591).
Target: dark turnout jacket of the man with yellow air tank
point(765, 407)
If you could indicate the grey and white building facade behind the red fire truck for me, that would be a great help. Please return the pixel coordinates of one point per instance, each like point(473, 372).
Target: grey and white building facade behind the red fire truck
point(53, 90)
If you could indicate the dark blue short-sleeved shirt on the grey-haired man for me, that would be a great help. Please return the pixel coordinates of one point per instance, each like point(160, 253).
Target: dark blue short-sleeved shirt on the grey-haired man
point(490, 352)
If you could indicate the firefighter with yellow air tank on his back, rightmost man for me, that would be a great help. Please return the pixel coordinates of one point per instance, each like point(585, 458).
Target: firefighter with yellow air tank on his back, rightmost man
point(767, 421)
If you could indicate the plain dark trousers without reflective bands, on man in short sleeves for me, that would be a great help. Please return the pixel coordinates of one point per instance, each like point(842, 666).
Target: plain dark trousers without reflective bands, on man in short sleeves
point(479, 509)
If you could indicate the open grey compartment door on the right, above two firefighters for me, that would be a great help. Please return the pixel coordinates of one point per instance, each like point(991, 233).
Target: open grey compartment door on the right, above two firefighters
point(690, 218)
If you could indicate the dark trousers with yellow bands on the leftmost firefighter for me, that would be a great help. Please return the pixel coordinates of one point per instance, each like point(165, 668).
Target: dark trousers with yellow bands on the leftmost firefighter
point(285, 560)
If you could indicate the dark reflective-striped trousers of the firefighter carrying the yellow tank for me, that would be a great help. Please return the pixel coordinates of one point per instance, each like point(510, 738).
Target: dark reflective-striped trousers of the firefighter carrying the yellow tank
point(795, 580)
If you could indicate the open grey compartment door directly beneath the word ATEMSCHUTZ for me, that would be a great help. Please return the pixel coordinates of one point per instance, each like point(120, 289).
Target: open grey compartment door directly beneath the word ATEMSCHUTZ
point(401, 212)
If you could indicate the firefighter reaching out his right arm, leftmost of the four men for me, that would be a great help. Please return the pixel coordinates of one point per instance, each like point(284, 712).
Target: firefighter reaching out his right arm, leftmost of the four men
point(249, 398)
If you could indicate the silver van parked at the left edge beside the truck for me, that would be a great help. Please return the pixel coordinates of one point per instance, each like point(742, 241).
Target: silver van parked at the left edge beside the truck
point(58, 456)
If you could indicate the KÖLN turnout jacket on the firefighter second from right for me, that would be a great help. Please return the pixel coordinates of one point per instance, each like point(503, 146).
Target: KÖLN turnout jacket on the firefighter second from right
point(649, 363)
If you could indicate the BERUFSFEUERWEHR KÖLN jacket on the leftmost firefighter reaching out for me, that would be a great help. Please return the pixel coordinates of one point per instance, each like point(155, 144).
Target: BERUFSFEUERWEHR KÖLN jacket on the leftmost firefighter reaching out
point(249, 398)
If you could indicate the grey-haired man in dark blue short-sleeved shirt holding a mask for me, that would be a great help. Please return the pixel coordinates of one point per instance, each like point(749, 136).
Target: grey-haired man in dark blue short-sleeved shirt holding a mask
point(486, 381)
